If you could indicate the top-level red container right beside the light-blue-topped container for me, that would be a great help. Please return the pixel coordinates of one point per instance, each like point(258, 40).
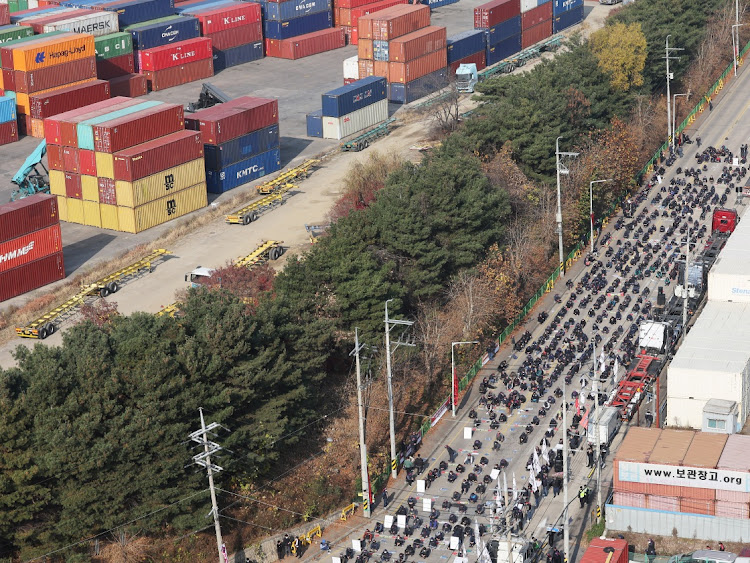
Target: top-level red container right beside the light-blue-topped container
point(134, 129)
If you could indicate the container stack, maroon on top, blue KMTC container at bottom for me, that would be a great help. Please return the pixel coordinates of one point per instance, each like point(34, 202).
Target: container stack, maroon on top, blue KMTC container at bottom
point(241, 141)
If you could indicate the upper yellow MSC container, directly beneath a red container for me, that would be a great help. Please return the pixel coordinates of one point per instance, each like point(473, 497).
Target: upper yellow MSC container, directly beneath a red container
point(170, 181)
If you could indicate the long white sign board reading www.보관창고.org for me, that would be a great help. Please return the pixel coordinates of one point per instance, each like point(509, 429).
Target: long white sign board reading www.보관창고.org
point(696, 477)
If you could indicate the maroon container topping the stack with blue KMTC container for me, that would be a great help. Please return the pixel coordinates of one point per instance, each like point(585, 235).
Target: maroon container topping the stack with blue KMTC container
point(232, 119)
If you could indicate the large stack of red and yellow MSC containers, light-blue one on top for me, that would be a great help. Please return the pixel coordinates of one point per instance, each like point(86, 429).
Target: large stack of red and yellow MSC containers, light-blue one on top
point(125, 165)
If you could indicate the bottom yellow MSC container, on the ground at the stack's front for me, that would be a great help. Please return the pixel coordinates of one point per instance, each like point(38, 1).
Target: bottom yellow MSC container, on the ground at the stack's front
point(135, 220)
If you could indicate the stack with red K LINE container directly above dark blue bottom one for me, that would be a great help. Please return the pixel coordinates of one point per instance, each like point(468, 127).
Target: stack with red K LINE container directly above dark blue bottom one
point(235, 30)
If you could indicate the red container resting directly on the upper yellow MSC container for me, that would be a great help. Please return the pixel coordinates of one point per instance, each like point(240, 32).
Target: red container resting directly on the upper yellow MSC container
point(149, 158)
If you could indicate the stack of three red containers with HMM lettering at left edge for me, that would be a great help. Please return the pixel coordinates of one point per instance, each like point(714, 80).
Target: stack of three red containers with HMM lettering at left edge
point(30, 245)
